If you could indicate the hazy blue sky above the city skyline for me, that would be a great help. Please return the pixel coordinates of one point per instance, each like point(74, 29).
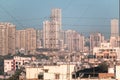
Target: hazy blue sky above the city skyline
point(84, 16)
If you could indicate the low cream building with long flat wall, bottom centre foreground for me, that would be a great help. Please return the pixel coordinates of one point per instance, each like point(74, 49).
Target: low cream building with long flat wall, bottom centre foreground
point(50, 72)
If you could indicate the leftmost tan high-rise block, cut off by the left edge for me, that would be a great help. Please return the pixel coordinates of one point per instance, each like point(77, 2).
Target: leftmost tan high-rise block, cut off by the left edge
point(7, 38)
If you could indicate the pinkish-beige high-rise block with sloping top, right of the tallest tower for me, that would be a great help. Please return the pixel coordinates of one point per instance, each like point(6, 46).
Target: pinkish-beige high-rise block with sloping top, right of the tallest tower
point(74, 41)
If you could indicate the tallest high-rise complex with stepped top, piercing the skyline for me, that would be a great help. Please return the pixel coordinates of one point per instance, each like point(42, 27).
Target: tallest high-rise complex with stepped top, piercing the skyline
point(52, 30)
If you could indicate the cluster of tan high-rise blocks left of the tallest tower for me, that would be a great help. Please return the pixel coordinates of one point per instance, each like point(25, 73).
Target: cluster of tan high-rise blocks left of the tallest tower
point(12, 40)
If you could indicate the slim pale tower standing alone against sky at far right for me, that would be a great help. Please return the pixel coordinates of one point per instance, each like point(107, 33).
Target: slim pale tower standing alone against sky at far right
point(114, 28)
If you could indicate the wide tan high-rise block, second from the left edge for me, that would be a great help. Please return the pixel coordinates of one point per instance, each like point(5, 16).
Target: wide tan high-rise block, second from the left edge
point(26, 39)
